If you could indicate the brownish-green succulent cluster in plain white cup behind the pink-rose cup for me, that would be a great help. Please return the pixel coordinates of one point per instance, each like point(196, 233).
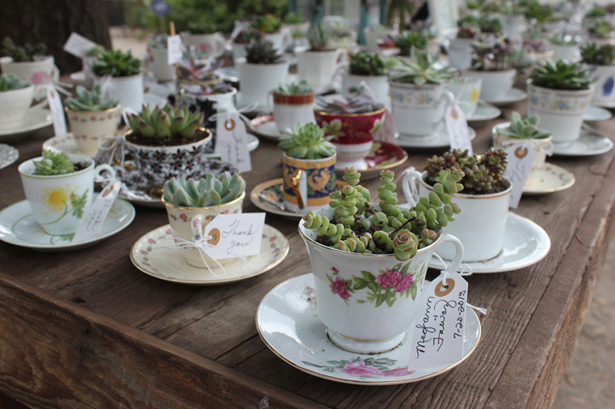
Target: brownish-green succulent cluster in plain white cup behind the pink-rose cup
point(482, 175)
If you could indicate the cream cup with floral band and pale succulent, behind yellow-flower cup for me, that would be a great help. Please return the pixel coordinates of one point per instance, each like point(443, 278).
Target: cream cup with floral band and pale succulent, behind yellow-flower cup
point(91, 117)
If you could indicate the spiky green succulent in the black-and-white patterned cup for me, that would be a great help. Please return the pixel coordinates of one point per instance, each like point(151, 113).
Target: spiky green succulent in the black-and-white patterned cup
point(167, 122)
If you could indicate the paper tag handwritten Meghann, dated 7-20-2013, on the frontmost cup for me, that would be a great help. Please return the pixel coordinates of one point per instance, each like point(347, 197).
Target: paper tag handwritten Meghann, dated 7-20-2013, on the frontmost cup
point(437, 333)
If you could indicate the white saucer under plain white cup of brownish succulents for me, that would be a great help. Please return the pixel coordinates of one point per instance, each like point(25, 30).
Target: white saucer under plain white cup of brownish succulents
point(525, 243)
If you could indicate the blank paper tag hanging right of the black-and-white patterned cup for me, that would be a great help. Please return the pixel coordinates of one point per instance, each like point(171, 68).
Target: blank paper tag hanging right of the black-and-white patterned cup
point(231, 137)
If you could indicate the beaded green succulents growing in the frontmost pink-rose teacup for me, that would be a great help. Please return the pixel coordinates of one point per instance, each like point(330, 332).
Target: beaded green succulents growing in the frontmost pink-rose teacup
point(360, 227)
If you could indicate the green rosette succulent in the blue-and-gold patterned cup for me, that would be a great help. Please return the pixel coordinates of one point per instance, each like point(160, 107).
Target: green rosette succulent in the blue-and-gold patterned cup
point(307, 142)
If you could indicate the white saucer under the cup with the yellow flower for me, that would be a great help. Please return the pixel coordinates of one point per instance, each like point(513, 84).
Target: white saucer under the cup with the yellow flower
point(19, 227)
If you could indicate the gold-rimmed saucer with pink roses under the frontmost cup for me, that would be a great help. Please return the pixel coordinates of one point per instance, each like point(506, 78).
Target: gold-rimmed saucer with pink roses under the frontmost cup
point(287, 322)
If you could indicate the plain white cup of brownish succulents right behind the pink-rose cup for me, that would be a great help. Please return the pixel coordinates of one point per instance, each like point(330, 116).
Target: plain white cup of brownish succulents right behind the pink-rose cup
point(482, 179)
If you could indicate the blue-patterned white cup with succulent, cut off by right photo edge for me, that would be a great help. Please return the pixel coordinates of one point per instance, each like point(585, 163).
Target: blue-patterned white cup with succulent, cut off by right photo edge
point(599, 60)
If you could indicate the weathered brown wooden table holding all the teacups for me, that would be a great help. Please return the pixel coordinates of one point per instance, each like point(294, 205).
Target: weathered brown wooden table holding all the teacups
point(87, 329)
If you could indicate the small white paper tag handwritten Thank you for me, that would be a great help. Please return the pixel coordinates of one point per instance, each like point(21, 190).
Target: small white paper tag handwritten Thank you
point(234, 235)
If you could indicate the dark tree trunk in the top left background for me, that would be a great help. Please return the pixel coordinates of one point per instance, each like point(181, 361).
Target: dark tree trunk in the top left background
point(51, 22)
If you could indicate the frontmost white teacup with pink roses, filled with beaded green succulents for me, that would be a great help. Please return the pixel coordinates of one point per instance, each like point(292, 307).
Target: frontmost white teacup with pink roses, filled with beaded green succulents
point(370, 258)
